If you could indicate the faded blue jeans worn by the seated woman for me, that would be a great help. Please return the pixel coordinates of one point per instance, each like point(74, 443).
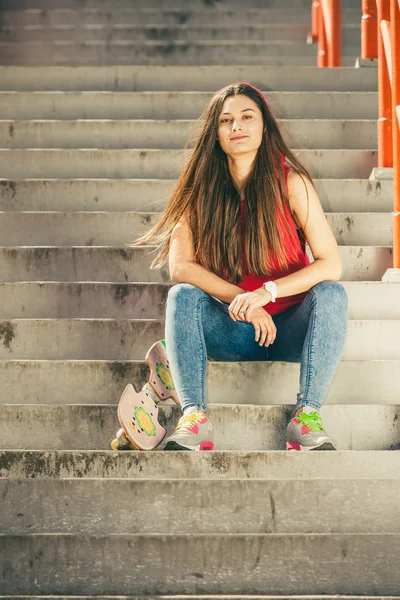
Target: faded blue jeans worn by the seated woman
point(198, 327)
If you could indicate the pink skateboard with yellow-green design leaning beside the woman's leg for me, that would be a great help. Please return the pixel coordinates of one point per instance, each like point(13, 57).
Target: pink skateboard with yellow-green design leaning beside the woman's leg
point(138, 411)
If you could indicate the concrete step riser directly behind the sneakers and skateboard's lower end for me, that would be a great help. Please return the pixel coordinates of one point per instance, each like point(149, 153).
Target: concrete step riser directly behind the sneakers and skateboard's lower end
point(236, 426)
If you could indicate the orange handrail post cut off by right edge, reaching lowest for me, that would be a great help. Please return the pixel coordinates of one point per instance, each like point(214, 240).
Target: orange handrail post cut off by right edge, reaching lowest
point(395, 43)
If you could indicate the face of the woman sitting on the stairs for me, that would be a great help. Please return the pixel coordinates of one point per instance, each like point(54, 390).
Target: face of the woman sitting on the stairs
point(243, 118)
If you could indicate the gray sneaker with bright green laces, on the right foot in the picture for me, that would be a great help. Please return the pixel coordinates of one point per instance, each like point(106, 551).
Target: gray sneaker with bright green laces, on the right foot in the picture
point(305, 432)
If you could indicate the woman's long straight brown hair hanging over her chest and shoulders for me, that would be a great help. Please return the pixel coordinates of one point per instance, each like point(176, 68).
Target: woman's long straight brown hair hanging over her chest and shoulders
point(206, 194)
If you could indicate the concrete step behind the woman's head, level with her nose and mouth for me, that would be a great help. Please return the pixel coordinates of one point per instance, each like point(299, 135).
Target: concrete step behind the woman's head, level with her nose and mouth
point(155, 134)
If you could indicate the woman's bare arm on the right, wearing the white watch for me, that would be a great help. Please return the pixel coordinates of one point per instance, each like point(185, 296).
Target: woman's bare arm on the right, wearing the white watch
point(327, 263)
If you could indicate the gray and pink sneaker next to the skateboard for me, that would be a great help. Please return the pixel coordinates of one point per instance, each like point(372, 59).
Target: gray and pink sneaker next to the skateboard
point(193, 432)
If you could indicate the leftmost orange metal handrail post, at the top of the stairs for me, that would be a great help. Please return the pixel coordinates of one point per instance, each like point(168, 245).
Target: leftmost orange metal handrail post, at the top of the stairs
point(326, 30)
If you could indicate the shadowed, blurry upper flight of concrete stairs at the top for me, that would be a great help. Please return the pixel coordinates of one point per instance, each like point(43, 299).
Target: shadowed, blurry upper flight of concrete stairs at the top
point(183, 32)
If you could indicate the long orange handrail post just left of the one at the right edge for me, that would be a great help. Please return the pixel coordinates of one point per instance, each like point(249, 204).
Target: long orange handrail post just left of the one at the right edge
point(385, 143)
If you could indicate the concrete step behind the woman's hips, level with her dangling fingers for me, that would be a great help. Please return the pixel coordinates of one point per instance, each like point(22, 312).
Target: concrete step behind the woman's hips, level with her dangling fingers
point(127, 339)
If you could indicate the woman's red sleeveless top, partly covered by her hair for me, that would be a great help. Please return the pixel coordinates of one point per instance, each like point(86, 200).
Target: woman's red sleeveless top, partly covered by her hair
point(298, 259)
